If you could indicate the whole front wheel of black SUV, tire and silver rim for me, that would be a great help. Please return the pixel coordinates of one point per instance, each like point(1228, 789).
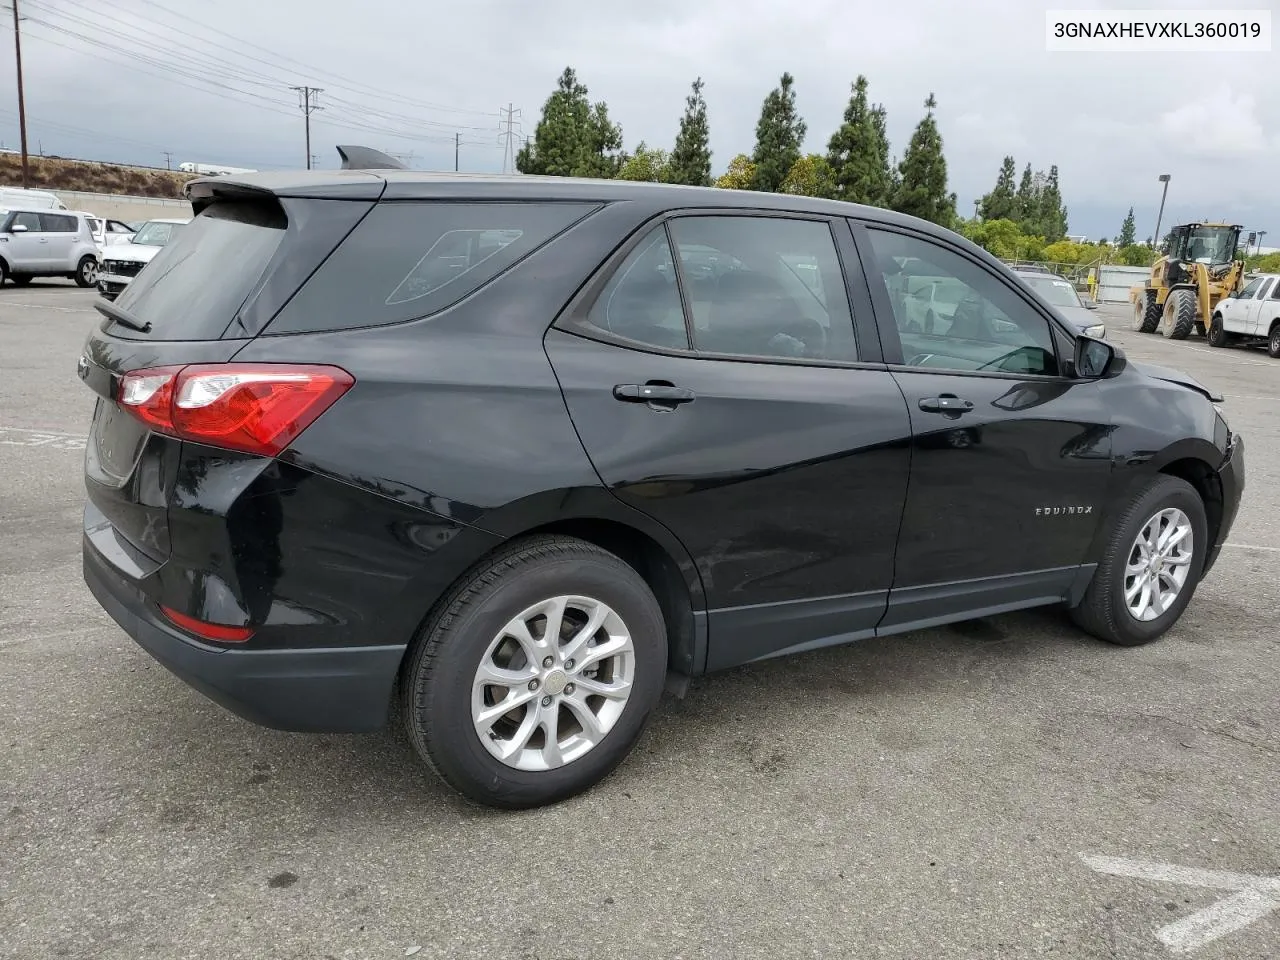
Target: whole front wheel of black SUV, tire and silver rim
point(1150, 569)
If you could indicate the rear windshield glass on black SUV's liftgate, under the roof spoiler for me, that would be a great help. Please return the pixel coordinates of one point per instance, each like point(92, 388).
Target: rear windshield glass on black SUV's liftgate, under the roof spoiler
point(198, 282)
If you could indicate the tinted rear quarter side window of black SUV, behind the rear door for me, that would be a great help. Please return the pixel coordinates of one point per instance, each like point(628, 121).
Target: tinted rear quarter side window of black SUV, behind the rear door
point(409, 260)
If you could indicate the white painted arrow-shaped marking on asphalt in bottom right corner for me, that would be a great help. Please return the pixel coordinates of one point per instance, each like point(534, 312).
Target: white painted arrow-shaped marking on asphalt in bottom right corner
point(1251, 899)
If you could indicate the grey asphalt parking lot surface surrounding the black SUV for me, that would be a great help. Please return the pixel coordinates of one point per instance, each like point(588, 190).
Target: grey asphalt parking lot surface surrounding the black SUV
point(1000, 789)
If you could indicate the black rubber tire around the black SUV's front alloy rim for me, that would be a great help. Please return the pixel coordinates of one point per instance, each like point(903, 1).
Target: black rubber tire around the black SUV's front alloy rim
point(1105, 611)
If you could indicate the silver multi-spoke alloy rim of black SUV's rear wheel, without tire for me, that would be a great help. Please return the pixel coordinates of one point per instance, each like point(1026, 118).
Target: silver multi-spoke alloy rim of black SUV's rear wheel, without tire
point(554, 683)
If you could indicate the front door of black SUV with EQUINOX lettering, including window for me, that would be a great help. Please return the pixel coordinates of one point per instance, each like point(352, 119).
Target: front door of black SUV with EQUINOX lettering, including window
point(1011, 460)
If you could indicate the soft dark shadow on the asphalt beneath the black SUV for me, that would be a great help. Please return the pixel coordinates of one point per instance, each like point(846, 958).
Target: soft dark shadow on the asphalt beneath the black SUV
point(322, 779)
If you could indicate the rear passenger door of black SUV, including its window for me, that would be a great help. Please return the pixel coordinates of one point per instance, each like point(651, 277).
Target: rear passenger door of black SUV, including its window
point(723, 395)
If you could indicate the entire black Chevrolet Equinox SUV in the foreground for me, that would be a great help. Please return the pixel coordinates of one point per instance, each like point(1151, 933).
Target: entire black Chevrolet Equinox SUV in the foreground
point(520, 452)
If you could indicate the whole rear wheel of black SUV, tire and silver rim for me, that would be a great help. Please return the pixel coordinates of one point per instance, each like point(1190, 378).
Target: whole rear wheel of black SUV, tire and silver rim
point(564, 634)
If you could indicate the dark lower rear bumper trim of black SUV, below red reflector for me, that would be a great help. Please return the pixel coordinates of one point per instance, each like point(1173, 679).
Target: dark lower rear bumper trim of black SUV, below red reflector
point(333, 691)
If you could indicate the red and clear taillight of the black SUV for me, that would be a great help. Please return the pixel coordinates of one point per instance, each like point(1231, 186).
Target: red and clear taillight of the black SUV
point(253, 408)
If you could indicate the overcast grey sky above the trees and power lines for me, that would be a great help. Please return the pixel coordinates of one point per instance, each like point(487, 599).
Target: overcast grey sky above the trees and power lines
point(409, 76)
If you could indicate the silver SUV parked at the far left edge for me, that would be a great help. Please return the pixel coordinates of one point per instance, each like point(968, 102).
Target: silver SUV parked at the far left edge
point(48, 244)
